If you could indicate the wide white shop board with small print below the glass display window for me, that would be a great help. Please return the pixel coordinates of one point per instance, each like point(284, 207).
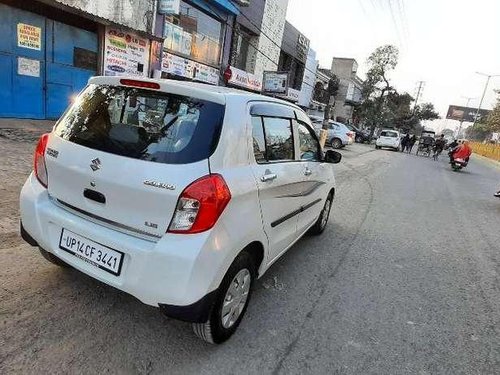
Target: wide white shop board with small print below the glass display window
point(186, 68)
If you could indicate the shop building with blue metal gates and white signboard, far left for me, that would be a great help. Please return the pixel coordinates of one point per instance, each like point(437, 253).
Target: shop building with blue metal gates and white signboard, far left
point(50, 48)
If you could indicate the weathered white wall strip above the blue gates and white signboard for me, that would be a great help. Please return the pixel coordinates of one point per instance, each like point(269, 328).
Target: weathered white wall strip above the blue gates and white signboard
point(130, 13)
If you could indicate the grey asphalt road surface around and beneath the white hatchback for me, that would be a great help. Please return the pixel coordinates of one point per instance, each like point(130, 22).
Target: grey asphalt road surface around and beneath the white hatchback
point(405, 280)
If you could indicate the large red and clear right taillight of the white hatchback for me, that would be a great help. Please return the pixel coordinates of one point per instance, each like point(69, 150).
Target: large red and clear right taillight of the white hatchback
point(200, 205)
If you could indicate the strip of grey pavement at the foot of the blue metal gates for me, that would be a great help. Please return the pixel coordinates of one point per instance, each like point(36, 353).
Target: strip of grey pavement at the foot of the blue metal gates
point(24, 130)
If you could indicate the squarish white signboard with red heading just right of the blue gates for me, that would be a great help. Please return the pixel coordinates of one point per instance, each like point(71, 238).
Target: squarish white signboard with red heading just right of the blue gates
point(125, 53)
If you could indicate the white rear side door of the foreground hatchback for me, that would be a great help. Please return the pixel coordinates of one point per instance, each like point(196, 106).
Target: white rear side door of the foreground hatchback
point(277, 173)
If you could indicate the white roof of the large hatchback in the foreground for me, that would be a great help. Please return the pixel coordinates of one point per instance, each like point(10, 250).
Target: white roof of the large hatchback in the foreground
point(199, 90)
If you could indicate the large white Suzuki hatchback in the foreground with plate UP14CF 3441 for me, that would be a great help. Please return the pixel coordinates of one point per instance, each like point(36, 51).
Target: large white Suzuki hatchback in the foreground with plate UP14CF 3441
point(181, 194)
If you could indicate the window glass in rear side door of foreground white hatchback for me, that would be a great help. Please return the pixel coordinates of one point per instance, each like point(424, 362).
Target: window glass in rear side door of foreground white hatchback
point(272, 139)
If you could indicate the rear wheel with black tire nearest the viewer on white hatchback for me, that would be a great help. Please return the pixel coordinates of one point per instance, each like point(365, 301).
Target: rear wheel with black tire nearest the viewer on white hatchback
point(216, 329)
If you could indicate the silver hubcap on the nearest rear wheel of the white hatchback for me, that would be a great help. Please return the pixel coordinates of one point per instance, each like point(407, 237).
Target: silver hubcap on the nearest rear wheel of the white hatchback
point(236, 298)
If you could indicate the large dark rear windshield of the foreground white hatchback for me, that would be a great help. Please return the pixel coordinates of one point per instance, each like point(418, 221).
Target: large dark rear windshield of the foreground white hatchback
point(143, 124)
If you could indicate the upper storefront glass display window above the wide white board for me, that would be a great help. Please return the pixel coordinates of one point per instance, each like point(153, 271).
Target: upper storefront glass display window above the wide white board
point(194, 34)
